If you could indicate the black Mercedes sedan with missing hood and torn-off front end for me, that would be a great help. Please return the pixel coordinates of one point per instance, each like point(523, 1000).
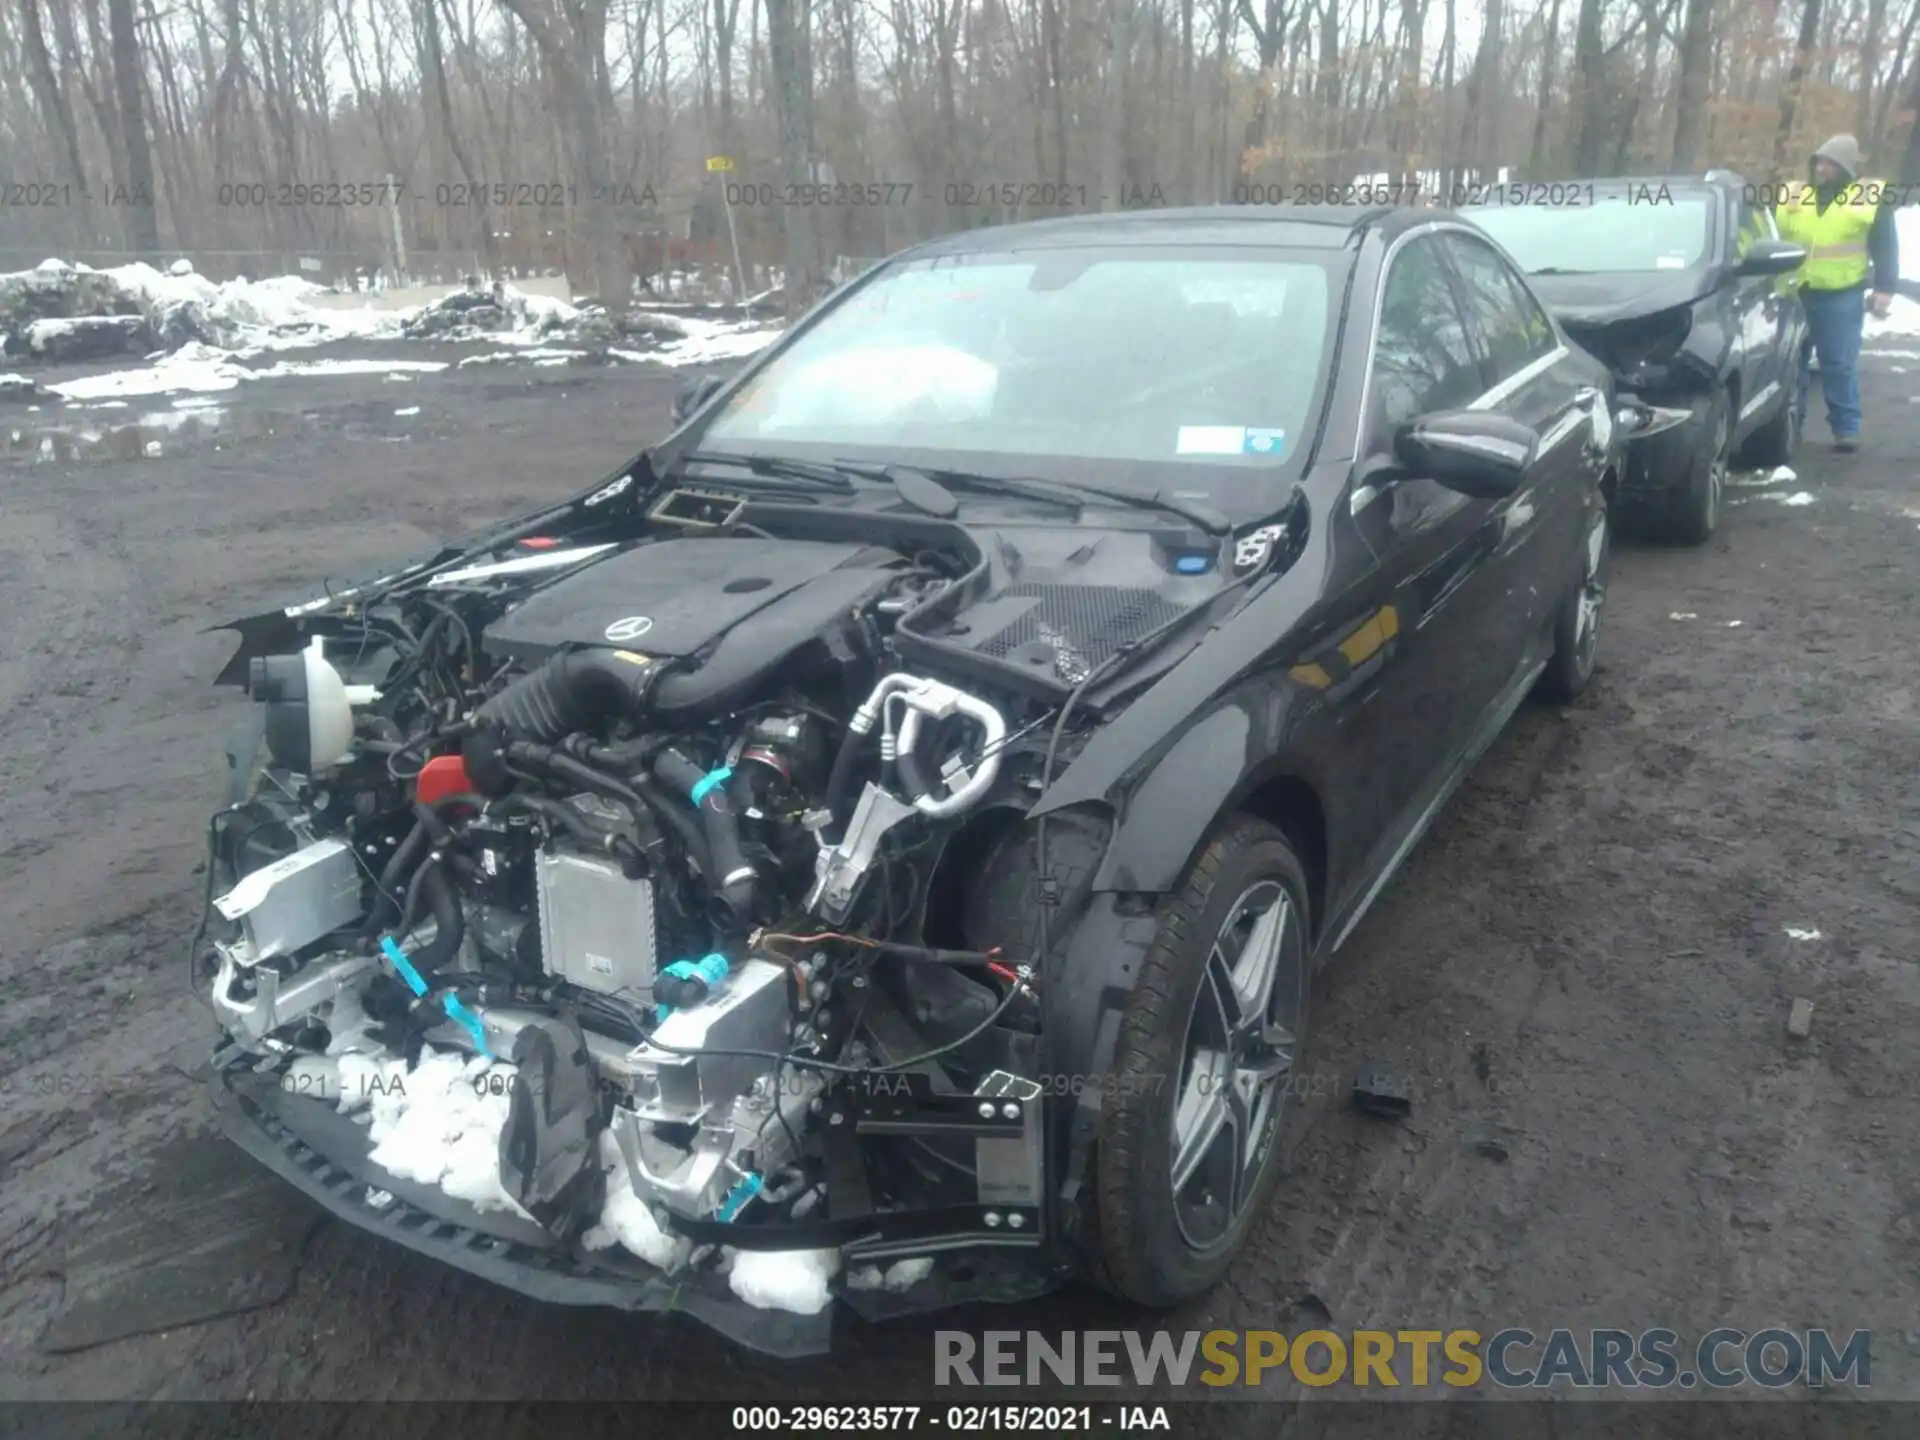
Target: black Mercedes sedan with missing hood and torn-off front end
point(875, 850)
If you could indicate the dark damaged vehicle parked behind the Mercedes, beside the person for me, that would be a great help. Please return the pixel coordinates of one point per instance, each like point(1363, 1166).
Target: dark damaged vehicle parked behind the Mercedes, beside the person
point(1677, 285)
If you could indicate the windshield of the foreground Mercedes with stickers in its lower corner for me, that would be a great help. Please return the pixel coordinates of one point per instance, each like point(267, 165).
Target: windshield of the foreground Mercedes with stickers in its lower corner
point(1045, 362)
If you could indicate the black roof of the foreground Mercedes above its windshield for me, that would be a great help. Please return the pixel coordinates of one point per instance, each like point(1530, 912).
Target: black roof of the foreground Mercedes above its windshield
point(1268, 228)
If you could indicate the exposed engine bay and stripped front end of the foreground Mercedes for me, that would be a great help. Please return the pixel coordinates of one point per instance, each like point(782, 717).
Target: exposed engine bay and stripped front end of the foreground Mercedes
point(683, 844)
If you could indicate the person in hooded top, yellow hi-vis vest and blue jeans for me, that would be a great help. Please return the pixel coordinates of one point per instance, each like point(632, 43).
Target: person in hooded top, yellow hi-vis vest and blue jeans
point(1846, 222)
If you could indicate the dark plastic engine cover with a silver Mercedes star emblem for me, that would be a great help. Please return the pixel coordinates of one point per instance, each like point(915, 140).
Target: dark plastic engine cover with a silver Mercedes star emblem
point(671, 598)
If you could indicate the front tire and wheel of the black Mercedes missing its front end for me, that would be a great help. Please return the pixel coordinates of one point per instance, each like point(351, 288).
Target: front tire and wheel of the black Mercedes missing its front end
point(1188, 1151)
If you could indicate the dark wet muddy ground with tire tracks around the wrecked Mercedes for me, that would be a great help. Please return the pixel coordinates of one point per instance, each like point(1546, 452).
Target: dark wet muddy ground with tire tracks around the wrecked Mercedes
point(1587, 971)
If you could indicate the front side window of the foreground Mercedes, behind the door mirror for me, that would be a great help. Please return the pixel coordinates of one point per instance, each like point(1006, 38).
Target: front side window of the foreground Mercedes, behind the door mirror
point(1424, 360)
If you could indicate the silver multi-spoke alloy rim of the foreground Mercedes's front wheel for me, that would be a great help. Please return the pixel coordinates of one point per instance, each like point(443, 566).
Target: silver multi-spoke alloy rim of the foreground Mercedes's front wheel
point(1237, 1063)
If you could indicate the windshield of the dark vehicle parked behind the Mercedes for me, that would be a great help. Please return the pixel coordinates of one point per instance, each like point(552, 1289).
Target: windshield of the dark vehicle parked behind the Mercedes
point(1610, 237)
